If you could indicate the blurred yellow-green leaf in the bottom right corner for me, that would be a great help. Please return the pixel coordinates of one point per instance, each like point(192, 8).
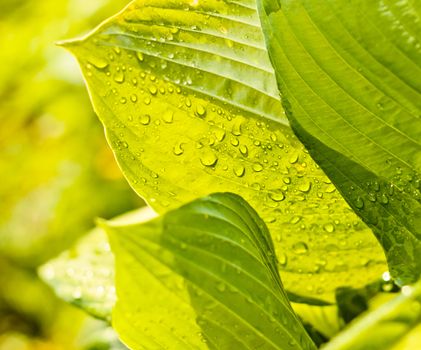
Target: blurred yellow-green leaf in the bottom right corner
point(384, 327)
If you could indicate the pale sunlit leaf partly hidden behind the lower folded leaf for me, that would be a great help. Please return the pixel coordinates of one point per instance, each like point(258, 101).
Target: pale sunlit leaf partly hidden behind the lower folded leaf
point(84, 275)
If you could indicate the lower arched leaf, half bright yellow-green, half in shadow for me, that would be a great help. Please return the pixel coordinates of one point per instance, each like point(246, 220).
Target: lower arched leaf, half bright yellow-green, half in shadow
point(203, 276)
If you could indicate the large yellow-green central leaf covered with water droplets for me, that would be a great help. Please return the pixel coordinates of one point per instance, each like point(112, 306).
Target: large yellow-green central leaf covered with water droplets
point(190, 107)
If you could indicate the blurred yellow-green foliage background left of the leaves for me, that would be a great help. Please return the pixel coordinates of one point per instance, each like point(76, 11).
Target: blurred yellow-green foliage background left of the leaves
point(57, 173)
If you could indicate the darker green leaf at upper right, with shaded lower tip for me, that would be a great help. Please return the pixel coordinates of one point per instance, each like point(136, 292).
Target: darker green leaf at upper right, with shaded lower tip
point(349, 74)
